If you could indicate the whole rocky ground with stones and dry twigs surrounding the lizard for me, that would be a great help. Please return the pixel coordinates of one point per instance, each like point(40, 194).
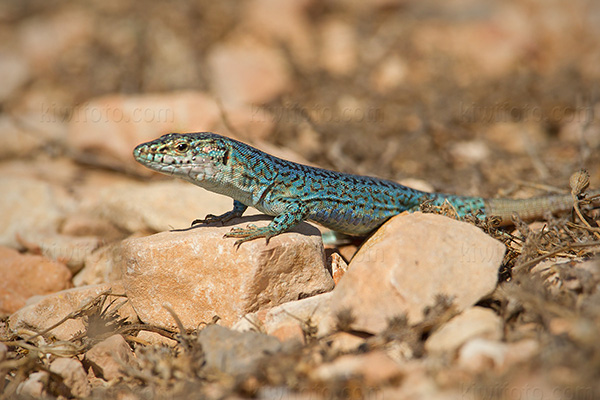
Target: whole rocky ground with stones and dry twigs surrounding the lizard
point(98, 298)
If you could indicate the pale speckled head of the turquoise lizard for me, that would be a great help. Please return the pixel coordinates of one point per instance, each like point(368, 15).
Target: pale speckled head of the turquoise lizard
point(192, 156)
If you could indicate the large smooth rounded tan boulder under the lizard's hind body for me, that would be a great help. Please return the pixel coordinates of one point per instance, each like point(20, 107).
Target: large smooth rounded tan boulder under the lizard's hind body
point(412, 259)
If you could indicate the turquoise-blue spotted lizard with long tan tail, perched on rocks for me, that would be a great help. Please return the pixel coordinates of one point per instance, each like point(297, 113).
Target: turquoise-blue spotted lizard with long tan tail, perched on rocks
point(354, 205)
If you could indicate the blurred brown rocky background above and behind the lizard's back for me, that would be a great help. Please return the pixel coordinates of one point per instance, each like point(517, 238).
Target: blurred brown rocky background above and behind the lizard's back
point(476, 97)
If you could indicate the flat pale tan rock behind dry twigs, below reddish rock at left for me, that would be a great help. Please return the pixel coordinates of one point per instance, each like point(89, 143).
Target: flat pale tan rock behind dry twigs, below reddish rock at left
point(51, 309)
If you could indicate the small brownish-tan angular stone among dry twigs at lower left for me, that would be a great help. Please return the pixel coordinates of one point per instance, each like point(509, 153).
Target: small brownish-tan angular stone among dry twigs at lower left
point(108, 357)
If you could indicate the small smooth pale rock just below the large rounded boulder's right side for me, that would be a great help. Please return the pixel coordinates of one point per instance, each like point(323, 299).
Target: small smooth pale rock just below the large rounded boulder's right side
point(471, 323)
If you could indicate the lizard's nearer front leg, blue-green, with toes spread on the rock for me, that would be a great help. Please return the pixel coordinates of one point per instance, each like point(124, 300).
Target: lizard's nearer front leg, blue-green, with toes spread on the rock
point(295, 213)
